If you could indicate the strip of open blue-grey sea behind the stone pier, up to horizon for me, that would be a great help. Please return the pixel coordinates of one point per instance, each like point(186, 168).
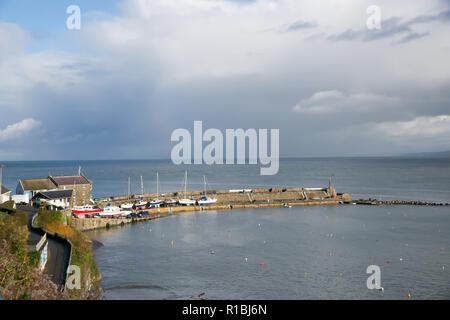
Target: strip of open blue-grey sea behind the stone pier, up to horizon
point(385, 178)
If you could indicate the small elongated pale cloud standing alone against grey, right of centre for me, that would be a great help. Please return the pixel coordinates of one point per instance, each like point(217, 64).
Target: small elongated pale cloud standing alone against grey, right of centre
point(333, 101)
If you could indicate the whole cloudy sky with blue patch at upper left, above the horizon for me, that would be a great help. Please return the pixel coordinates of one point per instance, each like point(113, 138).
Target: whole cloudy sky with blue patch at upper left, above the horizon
point(139, 69)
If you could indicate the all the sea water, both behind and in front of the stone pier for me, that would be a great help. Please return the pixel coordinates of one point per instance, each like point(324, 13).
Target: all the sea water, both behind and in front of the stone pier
point(307, 252)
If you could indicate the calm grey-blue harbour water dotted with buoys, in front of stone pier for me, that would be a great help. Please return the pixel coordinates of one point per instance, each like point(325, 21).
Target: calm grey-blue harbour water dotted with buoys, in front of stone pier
point(318, 252)
